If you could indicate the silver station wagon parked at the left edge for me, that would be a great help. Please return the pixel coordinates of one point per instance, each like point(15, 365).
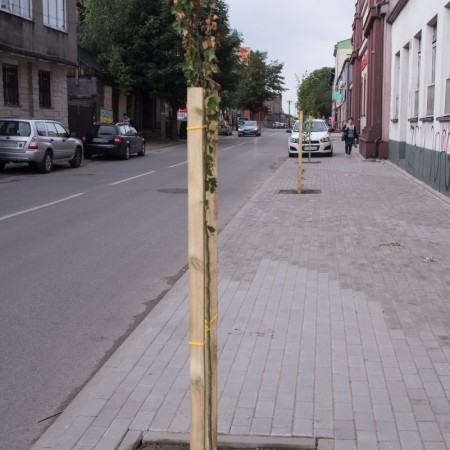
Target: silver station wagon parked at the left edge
point(38, 142)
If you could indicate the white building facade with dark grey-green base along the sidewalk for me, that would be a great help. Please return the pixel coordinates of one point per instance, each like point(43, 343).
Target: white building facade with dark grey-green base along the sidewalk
point(420, 90)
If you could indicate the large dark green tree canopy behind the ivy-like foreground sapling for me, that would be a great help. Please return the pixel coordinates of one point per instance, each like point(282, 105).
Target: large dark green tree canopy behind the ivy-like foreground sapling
point(137, 41)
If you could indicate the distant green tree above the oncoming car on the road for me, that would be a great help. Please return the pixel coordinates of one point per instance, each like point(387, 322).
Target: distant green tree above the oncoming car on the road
point(261, 81)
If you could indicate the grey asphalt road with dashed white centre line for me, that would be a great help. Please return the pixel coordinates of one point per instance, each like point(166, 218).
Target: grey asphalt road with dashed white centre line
point(85, 254)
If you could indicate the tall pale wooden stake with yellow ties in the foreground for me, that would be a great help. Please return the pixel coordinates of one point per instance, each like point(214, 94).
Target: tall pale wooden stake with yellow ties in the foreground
point(196, 249)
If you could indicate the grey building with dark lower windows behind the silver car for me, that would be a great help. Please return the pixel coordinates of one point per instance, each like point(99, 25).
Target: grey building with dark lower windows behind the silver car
point(38, 45)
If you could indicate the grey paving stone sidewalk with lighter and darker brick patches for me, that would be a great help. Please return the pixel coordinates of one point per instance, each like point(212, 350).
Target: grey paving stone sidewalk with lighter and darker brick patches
point(334, 322)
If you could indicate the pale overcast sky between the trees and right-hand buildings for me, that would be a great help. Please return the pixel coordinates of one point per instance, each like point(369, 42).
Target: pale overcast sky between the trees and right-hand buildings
point(299, 33)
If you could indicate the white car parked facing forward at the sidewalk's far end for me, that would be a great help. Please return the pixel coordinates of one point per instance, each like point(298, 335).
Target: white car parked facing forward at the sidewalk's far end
point(320, 139)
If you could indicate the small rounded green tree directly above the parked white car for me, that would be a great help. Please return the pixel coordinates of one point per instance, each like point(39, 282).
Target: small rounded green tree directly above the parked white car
point(314, 93)
